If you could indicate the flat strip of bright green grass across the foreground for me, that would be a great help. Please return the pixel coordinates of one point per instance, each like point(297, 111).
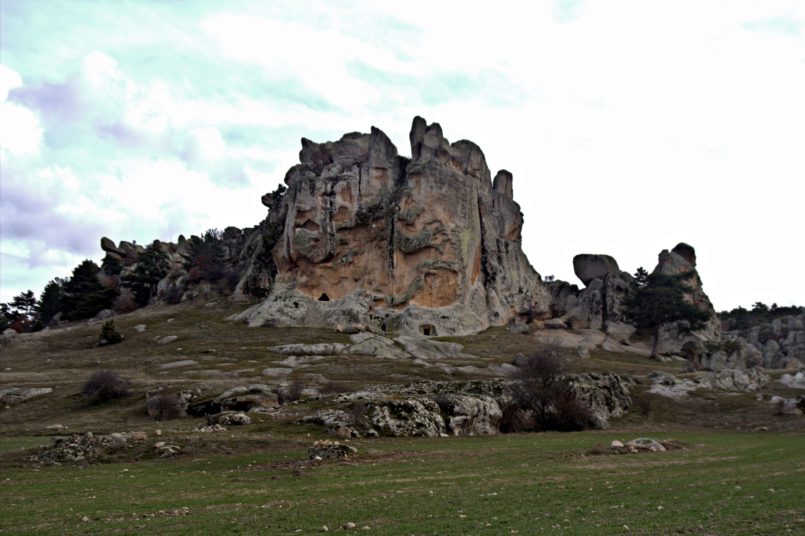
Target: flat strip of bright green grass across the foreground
point(724, 483)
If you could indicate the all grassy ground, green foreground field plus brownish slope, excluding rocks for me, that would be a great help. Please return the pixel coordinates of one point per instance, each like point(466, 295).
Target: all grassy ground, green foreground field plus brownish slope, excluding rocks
point(730, 479)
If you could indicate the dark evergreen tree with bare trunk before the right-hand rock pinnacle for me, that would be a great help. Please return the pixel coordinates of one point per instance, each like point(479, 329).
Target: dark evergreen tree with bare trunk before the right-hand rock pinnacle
point(662, 302)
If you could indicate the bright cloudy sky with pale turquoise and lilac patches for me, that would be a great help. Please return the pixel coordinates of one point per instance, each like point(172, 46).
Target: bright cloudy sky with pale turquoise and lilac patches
point(629, 125)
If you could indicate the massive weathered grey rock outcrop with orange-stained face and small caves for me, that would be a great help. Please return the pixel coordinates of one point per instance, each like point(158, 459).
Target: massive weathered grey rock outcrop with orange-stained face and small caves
point(428, 245)
